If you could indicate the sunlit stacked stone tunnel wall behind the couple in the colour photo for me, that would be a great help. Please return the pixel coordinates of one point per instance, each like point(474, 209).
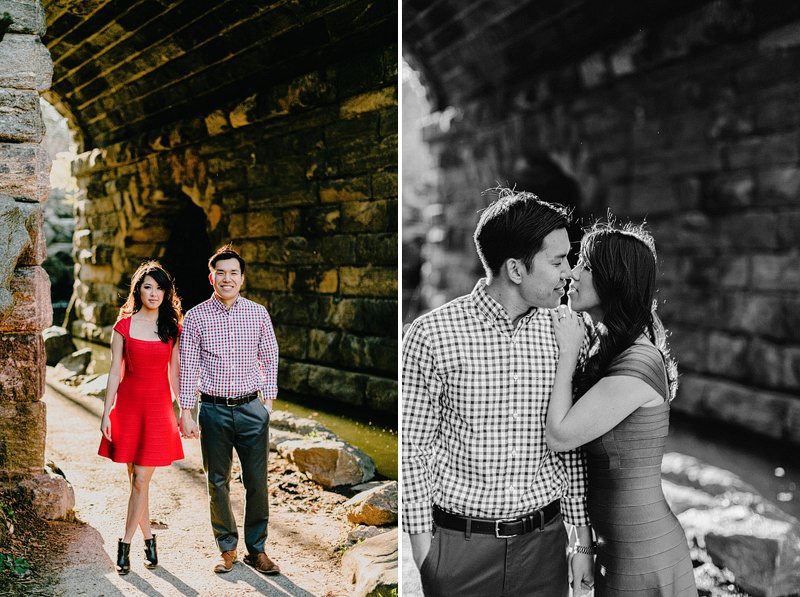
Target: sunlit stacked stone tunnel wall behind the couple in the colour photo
point(302, 177)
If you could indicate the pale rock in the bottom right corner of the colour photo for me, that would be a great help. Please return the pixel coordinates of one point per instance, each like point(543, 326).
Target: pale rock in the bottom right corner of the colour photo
point(372, 566)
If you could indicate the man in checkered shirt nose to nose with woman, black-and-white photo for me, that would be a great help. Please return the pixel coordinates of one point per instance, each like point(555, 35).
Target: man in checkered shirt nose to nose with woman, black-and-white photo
point(483, 497)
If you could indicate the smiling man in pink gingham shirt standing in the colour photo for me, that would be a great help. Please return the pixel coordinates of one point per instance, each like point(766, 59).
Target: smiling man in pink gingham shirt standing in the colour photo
point(228, 356)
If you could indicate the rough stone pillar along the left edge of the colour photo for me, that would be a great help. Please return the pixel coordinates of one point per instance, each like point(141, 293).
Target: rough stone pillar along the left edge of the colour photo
point(25, 71)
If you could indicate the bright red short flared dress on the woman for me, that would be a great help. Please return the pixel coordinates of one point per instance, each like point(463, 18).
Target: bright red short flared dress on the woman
point(143, 426)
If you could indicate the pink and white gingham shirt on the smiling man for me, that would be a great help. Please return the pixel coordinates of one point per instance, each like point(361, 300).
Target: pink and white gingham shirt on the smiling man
point(227, 352)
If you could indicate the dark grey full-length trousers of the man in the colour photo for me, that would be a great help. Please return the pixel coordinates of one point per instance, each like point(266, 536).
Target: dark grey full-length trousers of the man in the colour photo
point(245, 428)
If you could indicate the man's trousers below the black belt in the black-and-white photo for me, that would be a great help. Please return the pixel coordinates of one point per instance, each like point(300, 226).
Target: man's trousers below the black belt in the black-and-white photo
point(533, 564)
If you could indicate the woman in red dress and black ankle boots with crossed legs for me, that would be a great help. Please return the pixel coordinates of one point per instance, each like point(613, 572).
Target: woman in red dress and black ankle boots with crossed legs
point(139, 426)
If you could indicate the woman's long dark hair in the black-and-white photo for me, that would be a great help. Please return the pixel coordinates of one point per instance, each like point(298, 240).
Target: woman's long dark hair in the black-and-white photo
point(622, 259)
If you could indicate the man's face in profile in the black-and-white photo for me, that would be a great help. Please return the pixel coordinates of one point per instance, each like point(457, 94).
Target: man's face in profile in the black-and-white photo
point(544, 283)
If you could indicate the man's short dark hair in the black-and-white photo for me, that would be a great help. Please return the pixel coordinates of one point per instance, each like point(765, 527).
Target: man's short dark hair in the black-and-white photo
point(514, 226)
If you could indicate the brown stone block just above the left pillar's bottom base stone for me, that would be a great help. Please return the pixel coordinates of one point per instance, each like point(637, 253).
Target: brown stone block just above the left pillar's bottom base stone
point(23, 426)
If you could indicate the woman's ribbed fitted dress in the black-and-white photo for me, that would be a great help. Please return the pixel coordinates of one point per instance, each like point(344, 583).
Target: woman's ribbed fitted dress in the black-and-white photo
point(642, 549)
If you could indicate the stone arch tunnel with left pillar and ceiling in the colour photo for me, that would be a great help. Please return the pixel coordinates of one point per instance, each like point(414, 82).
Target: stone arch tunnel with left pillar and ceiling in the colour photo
point(272, 125)
